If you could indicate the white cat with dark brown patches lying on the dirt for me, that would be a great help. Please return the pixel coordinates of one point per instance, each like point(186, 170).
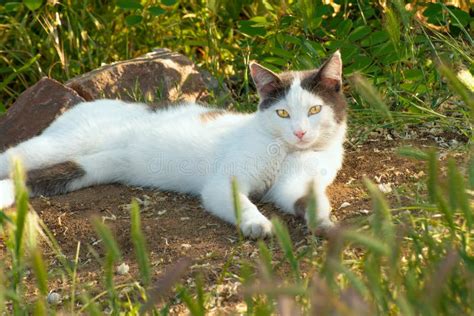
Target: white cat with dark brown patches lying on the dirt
point(292, 144)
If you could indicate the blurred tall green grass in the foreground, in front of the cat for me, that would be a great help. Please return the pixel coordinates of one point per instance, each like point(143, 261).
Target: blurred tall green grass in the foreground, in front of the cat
point(420, 261)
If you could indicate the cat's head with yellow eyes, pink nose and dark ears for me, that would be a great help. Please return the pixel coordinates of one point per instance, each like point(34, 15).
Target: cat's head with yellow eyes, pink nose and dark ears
point(304, 109)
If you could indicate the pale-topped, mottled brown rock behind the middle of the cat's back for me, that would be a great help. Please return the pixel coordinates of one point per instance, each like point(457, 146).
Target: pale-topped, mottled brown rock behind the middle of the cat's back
point(158, 77)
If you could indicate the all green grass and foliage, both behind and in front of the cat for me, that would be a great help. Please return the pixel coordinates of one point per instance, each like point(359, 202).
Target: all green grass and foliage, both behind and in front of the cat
point(410, 261)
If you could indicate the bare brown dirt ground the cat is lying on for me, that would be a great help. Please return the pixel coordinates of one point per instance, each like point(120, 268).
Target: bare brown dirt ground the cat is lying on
point(176, 225)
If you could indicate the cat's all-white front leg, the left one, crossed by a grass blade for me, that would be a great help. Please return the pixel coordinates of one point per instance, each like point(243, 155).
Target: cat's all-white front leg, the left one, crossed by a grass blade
point(217, 198)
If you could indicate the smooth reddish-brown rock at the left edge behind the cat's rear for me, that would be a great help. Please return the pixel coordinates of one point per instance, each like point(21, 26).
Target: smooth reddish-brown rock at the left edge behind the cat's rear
point(34, 110)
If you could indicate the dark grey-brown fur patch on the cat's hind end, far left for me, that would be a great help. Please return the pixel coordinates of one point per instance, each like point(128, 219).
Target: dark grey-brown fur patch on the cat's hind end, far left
point(54, 179)
